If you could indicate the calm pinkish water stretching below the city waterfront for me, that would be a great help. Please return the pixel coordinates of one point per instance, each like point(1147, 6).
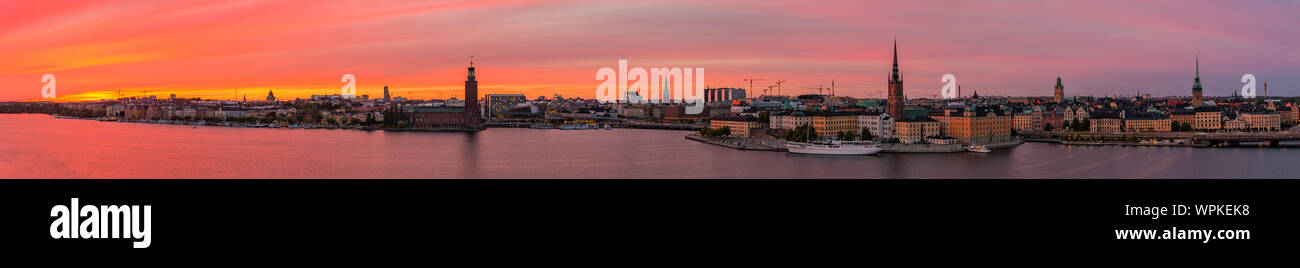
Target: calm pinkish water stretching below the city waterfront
point(38, 146)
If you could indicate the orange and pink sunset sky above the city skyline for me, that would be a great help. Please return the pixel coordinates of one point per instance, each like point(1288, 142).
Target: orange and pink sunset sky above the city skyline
point(421, 49)
